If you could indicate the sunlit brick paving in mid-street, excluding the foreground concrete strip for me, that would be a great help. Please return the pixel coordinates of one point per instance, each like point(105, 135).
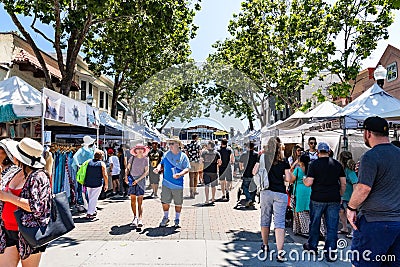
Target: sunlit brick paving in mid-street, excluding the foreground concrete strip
point(218, 222)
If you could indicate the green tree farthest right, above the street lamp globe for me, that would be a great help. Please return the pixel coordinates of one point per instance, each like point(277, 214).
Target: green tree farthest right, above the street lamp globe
point(357, 26)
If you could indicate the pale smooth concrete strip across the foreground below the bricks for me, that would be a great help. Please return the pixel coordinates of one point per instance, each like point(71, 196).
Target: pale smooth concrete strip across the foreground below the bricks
point(70, 253)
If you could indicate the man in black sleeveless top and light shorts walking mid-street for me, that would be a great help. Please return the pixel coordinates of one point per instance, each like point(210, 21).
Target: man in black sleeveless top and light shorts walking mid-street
point(225, 170)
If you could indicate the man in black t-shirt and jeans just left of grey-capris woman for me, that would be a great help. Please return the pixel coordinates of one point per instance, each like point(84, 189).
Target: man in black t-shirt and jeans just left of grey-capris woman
point(246, 164)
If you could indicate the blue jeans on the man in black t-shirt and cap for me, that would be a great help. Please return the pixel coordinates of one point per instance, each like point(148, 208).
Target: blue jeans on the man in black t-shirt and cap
point(330, 210)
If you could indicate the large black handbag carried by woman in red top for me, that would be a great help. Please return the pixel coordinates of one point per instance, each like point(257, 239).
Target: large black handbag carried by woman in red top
point(60, 223)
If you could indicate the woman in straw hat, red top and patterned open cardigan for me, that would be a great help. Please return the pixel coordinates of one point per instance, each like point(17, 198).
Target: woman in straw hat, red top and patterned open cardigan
point(29, 191)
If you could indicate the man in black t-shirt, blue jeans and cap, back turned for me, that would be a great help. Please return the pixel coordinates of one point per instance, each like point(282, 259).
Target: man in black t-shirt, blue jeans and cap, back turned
point(328, 182)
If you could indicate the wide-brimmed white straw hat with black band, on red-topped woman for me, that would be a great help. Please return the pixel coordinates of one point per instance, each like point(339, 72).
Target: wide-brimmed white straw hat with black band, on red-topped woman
point(27, 151)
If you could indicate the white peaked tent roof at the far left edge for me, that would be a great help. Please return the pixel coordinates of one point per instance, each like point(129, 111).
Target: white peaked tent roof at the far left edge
point(14, 90)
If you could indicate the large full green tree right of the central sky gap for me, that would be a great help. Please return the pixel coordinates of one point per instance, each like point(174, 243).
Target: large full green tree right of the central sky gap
point(282, 43)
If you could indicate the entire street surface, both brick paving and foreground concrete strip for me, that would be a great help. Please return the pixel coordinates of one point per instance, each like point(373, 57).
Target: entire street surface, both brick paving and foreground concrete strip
point(209, 236)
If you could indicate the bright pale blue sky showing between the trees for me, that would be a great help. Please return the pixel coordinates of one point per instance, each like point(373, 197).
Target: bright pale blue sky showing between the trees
point(213, 21)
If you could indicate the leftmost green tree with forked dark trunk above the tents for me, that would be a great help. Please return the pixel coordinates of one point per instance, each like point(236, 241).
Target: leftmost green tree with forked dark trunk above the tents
point(71, 22)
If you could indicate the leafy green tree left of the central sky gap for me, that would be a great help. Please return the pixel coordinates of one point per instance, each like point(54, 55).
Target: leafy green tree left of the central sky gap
point(133, 49)
